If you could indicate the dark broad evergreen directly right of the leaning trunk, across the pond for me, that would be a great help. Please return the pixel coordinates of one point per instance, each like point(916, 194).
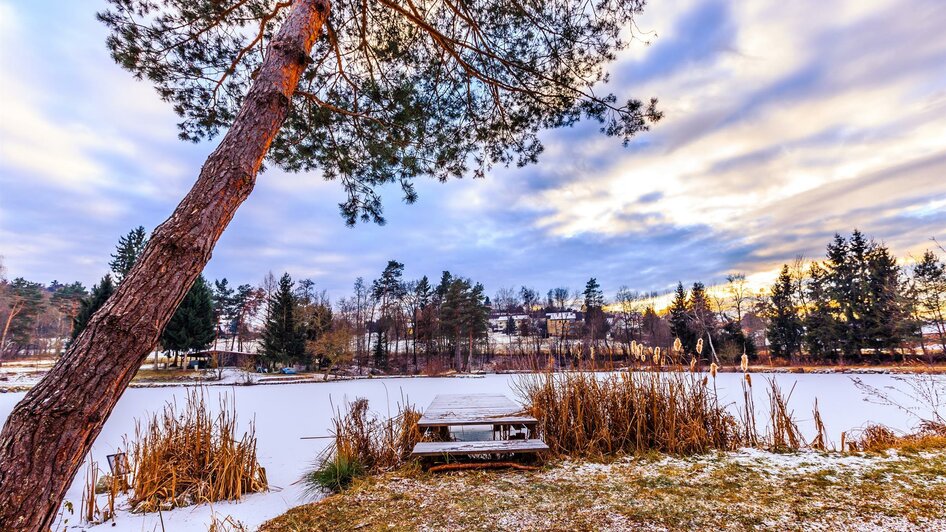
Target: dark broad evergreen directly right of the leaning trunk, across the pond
point(192, 327)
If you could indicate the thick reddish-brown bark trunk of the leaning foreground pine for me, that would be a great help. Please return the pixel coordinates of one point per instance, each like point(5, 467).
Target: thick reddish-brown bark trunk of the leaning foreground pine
point(51, 430)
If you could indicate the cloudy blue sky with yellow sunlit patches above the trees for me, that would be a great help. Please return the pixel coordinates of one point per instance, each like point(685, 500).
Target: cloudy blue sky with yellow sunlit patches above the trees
point(785, 122)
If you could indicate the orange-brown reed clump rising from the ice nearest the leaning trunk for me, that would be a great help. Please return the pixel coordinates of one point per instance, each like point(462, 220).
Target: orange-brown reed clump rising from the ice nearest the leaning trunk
point(192, 456)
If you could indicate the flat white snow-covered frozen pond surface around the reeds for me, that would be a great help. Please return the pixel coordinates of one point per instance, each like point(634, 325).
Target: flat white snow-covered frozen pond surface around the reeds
point(285, 413)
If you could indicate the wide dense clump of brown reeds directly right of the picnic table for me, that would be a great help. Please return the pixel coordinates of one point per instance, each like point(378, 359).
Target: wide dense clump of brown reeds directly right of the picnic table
point(628, 412)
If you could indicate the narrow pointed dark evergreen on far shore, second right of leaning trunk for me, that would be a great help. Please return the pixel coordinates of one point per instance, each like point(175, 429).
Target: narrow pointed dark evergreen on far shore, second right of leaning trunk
point(282, 342)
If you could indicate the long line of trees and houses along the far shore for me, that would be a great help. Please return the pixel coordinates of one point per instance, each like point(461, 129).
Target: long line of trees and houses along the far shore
point(857, 304)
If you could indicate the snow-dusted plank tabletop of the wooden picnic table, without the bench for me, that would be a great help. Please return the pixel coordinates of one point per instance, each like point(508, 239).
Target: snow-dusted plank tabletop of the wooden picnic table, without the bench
point(474, 409)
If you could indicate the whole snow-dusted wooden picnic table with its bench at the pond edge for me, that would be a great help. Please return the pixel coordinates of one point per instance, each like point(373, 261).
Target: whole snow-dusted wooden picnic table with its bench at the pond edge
point(494, 410)
